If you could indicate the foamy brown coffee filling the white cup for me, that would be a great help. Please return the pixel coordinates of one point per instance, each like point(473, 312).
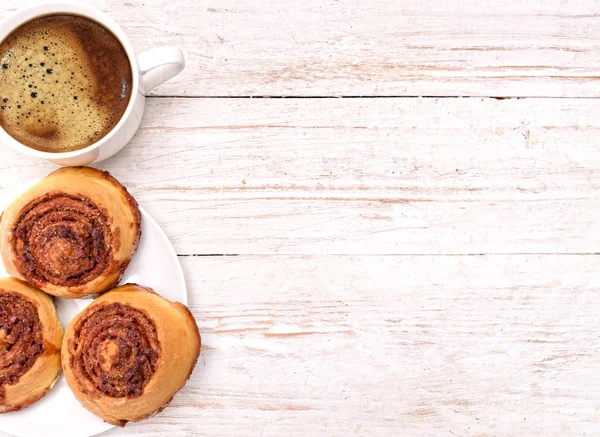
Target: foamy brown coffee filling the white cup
point(65, 82)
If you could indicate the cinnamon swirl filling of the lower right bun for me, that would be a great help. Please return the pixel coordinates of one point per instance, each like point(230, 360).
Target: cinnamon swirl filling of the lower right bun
point(115, 348)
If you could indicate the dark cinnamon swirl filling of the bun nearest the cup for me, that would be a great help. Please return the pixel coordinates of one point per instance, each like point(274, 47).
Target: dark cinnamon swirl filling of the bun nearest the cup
point(62, 239)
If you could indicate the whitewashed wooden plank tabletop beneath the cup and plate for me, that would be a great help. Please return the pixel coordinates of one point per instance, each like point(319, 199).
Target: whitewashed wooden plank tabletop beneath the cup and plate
point(386, 210)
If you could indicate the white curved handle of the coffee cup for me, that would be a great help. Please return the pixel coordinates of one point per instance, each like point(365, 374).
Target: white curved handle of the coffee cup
point(159, 65)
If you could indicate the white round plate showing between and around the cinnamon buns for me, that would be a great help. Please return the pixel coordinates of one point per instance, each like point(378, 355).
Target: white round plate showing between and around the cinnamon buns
point(59, 414)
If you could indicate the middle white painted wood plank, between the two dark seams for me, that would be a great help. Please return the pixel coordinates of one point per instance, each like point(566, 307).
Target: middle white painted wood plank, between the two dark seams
point(378, 176)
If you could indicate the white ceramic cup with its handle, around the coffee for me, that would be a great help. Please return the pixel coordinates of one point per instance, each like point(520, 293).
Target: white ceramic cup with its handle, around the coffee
point(149, 70)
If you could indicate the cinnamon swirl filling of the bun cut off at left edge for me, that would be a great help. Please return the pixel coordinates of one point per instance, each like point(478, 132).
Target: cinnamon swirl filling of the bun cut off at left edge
point(21, 338)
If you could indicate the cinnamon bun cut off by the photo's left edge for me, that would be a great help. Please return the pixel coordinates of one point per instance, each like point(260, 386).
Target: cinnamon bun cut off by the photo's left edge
point(30, 341)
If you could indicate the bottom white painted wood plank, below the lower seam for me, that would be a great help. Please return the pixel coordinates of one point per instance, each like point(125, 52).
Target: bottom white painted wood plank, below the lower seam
point(390, 345)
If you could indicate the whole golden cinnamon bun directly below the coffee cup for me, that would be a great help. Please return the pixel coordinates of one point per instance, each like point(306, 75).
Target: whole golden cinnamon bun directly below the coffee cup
point(72, 234)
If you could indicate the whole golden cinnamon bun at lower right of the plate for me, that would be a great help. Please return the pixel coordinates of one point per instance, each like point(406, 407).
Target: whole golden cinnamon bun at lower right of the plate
point(128, 353)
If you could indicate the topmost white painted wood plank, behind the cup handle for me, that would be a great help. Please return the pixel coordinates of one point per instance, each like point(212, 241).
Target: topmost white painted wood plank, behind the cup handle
point(376, 47)
